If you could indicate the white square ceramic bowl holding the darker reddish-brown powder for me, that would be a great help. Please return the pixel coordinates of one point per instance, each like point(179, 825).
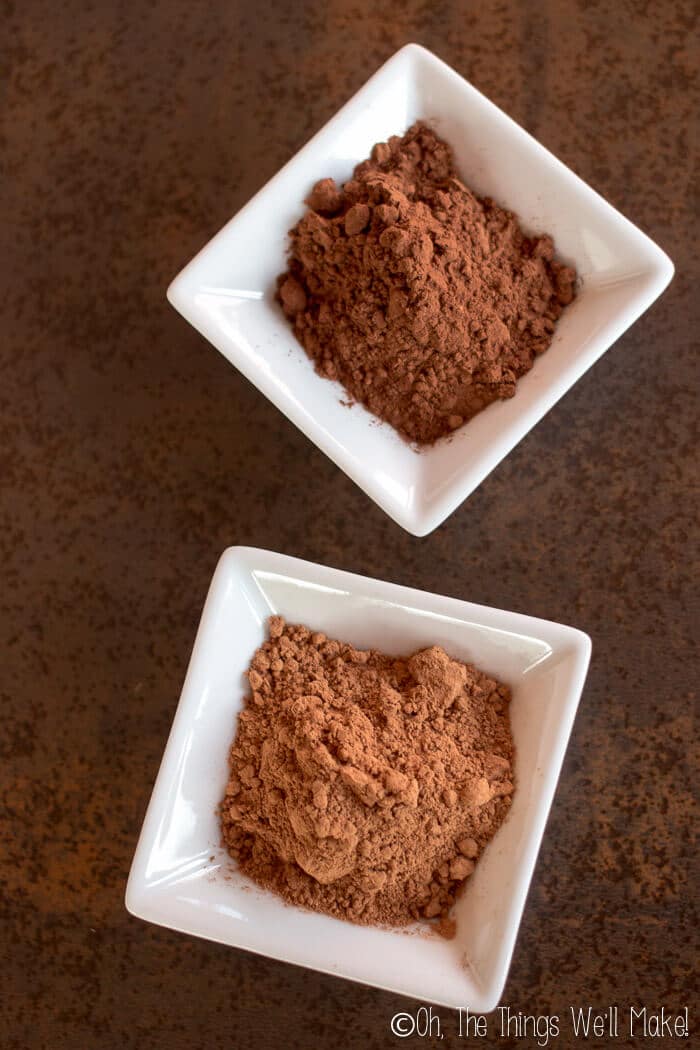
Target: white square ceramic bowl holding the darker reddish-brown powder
point(227, 291)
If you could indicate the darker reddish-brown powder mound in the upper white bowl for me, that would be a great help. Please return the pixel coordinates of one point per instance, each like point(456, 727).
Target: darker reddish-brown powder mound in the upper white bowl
point(425, 301)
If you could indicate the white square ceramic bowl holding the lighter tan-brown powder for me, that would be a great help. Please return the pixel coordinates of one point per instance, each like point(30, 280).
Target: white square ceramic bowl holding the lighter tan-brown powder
point(182, 877)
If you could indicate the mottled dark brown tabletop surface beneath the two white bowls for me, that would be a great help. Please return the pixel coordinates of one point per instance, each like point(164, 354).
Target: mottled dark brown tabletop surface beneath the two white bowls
point(133, 454)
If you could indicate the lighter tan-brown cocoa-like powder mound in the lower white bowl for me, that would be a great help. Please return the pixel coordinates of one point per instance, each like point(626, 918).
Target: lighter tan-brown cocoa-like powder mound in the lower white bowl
point(366, 786)
